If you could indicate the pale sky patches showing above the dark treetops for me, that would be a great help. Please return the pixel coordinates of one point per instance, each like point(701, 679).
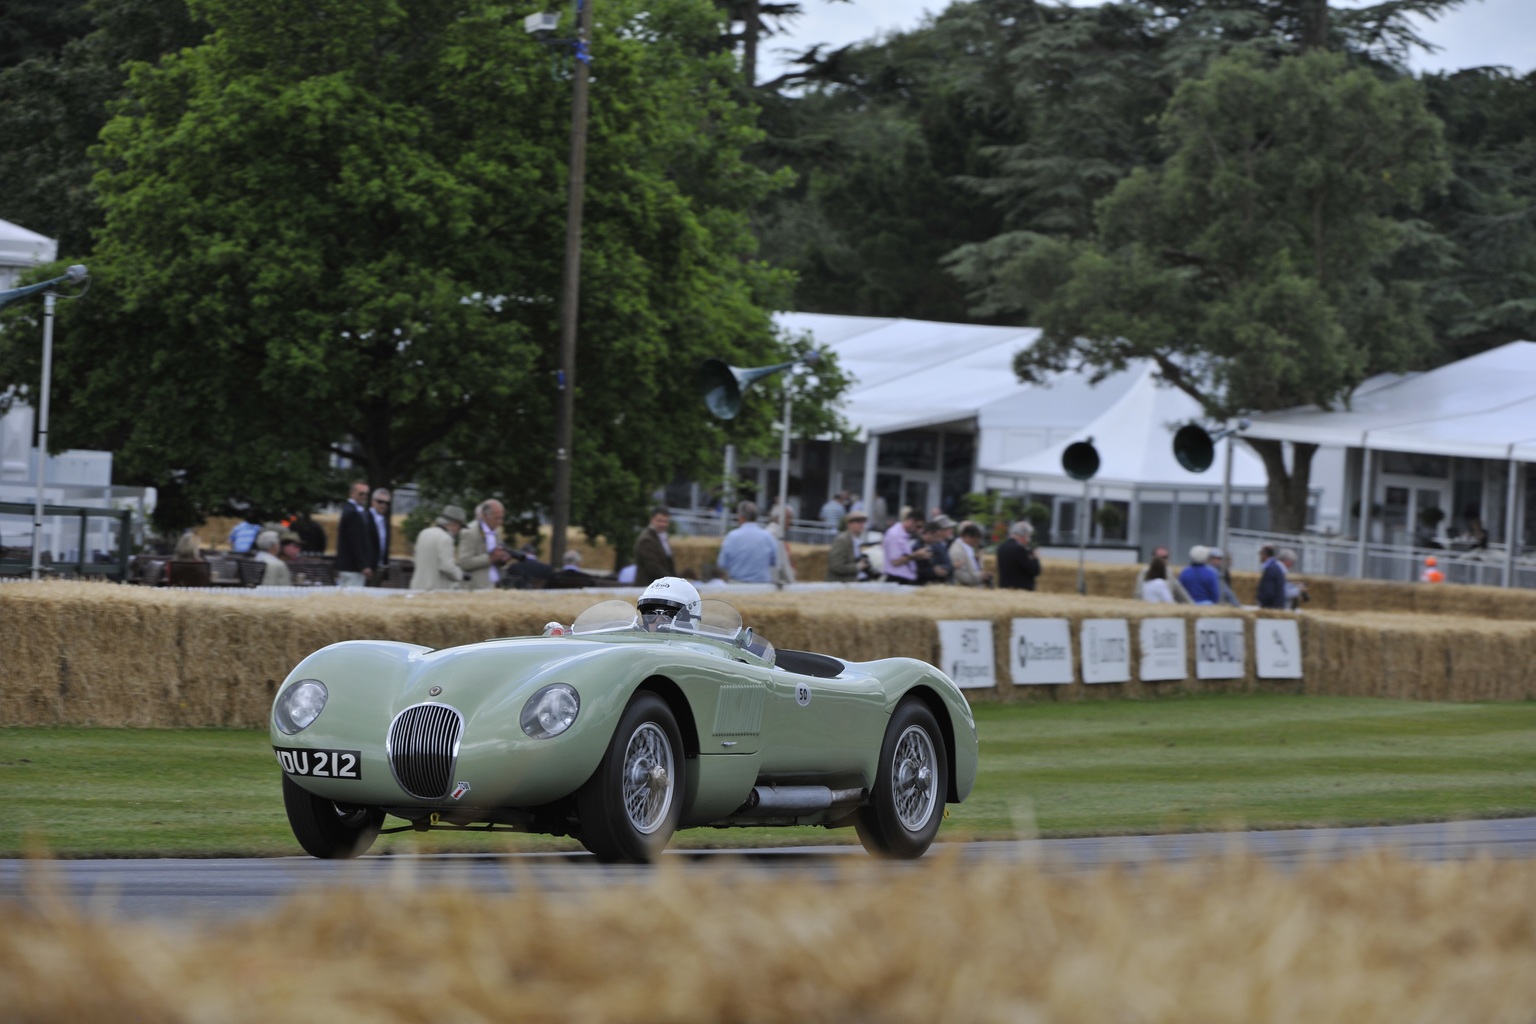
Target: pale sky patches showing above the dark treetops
point(1478, 33)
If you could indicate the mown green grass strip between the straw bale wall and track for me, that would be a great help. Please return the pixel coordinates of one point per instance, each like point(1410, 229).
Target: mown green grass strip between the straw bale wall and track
point(1097, 768)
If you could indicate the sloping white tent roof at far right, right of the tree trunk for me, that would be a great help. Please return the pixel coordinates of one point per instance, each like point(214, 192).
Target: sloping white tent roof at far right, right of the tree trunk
point(1481, 408)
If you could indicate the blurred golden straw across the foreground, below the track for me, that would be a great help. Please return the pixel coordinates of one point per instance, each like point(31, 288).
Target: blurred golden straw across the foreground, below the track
point(1374, 939)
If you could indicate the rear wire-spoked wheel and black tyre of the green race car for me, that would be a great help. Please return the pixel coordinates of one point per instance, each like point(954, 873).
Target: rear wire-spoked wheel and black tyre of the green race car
point(881, 825)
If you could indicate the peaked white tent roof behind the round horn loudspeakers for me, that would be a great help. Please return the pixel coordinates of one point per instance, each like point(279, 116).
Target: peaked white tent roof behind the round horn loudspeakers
point(1136, 448)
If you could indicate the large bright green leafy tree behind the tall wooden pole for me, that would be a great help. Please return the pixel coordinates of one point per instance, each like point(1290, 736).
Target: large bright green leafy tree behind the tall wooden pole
point(336, 231)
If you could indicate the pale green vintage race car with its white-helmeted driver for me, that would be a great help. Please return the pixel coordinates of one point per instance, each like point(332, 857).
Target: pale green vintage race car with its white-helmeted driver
point(618, 730)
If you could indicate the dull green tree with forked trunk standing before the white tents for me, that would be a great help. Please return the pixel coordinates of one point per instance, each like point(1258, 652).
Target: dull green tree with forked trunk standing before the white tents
point(1254, 266)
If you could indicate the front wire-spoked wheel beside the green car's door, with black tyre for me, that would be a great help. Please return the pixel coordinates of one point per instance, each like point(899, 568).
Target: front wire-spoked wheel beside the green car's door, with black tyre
point(607, 827)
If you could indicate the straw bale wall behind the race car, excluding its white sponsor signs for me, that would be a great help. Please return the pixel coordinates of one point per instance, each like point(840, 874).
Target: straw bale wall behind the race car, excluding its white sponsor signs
point(127, 656)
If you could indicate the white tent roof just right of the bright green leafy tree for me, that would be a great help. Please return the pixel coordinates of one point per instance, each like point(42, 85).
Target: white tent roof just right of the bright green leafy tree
point(913, 374)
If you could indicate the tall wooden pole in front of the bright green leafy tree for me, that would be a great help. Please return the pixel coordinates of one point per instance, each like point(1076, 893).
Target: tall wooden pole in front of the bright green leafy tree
point(571, 289)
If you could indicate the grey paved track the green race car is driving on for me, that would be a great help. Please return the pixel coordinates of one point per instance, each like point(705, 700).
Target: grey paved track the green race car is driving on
point(223, 888)
